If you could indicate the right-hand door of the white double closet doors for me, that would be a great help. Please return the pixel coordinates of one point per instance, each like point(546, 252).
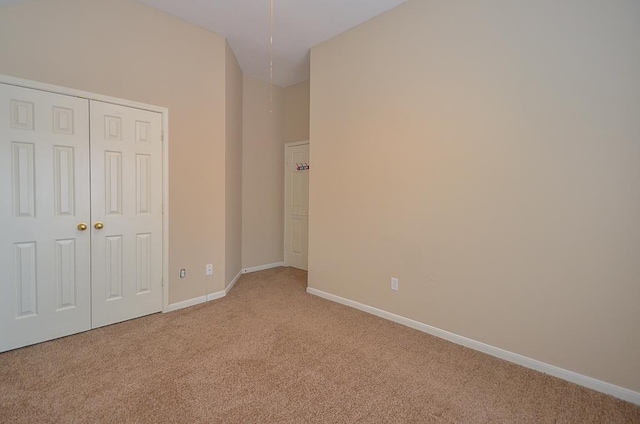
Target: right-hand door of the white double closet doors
point(126, 210)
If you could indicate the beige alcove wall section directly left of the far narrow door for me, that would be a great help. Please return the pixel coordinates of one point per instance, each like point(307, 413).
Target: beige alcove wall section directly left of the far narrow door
point(262, 174)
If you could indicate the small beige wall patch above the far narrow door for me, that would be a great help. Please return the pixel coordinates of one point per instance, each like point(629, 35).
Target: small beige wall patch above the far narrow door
point(296, 112)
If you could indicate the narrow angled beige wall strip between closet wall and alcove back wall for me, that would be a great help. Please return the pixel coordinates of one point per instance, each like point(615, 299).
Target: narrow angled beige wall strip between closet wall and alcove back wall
point(233, 167)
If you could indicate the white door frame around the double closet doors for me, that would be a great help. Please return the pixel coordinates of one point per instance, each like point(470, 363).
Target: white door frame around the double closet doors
point(20, 82)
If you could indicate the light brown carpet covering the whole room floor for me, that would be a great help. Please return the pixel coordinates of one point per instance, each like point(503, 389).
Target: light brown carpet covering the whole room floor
point(271, 353)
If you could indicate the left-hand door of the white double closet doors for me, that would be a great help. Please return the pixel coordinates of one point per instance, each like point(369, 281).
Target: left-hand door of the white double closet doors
point(44, 196)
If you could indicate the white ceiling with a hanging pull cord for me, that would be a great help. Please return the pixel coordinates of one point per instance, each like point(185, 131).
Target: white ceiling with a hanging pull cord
point(298, 25)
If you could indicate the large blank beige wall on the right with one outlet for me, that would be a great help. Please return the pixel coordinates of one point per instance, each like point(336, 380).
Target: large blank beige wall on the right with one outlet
point(489, 158)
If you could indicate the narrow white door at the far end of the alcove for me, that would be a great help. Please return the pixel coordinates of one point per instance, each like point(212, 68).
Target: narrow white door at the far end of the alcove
point(296, 227)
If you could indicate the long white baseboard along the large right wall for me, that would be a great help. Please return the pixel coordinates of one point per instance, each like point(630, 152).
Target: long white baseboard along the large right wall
point(582, 380)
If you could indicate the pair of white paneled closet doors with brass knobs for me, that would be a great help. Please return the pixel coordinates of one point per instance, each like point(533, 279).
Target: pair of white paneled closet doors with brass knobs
point(80, 215)
